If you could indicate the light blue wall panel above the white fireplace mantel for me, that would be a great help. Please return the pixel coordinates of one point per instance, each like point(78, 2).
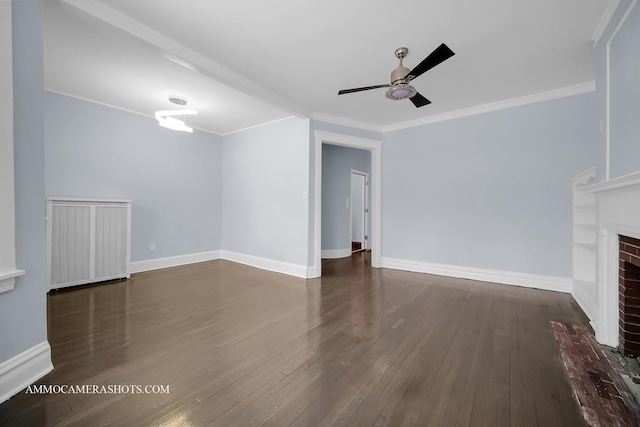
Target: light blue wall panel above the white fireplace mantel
point(625, 95)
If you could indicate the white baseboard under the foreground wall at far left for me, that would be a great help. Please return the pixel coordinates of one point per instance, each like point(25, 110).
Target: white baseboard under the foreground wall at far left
point(24, 369)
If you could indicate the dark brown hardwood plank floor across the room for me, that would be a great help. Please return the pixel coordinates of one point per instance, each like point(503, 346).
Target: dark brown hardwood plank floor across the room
point(359, 347)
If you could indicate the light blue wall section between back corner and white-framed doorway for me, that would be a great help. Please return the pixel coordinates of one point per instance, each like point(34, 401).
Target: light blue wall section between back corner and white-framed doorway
point(266, 172)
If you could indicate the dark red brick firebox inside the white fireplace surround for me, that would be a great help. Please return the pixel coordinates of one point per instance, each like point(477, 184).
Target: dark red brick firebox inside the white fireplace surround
point(629, 296)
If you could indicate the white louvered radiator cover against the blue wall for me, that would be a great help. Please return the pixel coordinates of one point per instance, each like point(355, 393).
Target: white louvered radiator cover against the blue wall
point(87, 241)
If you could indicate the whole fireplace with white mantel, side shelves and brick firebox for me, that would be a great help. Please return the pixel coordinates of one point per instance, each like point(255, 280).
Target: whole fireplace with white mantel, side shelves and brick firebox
point(607, 257)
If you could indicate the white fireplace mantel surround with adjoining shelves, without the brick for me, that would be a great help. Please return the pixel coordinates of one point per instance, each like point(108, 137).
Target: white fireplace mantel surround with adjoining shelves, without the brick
point(615, 210)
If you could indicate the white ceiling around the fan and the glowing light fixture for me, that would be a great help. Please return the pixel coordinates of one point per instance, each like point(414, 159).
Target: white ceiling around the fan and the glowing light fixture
point(246, 63)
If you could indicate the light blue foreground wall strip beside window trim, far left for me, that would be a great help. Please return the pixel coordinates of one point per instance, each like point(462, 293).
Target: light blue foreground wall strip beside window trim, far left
point(23, 310)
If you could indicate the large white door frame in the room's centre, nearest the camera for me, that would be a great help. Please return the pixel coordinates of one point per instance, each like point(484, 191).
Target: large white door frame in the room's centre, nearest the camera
point(375, 239)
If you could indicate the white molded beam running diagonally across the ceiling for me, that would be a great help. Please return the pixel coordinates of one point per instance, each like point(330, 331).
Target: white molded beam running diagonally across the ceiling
point(186, 57)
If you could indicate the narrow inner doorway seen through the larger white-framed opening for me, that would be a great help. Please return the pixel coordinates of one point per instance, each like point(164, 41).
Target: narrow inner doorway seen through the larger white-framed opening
point(359, 210)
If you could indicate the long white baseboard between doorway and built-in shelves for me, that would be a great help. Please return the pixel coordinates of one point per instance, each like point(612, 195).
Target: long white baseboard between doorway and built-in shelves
point(550, 283)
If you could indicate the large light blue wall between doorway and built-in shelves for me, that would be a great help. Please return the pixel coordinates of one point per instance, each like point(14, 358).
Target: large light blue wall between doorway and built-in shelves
point(488, 191)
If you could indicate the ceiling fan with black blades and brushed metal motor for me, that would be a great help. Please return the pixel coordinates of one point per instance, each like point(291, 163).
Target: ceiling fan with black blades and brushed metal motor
point(399, 88)
